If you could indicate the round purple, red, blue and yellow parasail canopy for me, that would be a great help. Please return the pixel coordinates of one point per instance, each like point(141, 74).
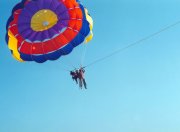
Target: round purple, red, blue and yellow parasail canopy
point(41, 30)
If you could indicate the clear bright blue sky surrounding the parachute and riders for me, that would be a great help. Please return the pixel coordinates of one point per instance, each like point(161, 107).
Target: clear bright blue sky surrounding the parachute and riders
point(137, 90)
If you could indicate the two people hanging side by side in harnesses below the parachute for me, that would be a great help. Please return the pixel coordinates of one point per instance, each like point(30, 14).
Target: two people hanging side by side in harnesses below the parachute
point(78, 76)
